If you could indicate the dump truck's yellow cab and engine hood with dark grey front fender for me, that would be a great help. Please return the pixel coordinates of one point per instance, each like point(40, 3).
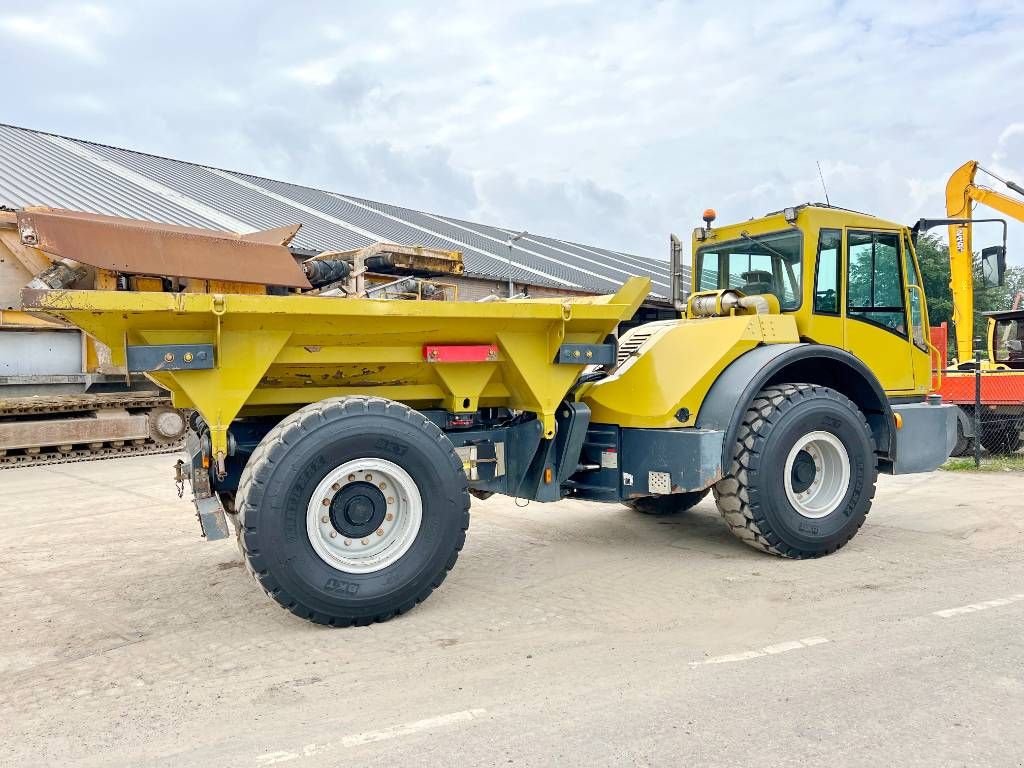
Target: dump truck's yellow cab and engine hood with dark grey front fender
point(810, 294)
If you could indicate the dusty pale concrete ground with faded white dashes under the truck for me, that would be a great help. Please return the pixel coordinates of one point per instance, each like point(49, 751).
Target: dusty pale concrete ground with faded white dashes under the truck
point(568, 634)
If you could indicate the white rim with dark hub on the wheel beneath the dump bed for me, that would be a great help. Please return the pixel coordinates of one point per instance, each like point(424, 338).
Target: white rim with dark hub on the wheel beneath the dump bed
point(330, 529)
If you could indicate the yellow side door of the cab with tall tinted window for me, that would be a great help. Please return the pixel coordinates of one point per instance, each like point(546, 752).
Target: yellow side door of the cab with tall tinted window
point(876, 324)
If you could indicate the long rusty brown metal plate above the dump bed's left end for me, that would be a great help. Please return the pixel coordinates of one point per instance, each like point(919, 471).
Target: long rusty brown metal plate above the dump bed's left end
point(138, 247)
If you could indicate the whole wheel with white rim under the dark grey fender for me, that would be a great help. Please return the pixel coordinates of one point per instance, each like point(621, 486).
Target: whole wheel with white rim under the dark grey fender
point(803, 473)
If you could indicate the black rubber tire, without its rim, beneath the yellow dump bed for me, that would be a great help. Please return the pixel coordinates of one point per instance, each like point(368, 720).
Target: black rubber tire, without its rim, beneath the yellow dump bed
point(282, 476)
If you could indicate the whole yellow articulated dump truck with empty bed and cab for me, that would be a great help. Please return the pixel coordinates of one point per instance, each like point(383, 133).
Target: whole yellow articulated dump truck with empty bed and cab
point(340, 442)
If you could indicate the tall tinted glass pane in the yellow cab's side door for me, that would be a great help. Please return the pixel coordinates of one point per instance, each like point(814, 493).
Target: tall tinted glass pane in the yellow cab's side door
point(875, 293)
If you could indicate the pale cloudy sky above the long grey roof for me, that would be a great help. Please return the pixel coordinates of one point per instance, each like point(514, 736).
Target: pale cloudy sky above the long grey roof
point(610, 123)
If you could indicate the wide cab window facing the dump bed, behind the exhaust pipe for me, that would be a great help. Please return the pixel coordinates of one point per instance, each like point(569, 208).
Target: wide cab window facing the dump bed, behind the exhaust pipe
point(755, 265)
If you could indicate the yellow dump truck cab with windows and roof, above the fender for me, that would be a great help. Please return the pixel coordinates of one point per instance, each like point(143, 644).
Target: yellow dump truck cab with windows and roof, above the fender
point(848, 280)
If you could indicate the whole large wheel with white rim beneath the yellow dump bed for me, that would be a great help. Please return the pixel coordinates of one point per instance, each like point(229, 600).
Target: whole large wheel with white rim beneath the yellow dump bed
point(353, 510)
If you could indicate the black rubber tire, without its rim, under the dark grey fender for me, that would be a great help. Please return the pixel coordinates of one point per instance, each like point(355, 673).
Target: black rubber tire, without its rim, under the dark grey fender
point(752, 497)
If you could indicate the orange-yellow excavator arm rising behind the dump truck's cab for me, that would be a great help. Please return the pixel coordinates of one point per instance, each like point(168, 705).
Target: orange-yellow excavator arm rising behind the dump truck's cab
point(962, 194)
